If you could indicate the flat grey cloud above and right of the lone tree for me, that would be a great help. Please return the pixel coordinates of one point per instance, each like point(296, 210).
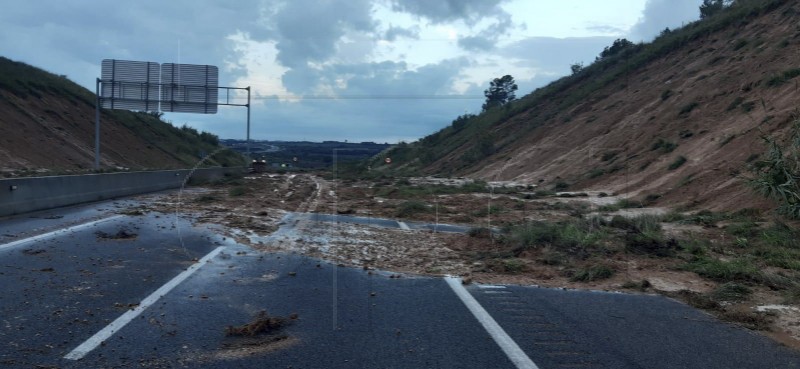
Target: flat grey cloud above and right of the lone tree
point(555, 55)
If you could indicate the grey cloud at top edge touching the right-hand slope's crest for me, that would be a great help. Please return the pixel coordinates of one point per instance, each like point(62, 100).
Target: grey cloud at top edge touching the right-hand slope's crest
point(660, 14)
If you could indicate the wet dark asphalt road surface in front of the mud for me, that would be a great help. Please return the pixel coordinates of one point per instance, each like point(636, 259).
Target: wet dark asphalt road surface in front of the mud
point(170, 293)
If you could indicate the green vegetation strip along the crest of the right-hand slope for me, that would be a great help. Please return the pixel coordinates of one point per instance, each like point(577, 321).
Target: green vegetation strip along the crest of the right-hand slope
point(472, 136)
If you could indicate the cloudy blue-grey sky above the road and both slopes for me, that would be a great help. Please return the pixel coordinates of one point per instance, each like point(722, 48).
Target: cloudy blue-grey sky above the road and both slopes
point(357, 70)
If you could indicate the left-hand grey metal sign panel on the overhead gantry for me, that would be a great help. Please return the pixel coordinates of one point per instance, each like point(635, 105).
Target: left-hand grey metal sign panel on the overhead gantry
point(130, 85)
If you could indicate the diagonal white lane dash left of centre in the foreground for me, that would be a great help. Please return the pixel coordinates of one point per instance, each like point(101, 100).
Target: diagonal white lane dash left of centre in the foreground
point(104, 334)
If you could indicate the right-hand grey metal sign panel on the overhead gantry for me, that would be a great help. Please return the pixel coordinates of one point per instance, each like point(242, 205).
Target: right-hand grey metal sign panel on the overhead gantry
point(189, 88)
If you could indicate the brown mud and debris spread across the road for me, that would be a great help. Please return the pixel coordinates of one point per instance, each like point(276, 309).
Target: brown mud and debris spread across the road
point(251, 210)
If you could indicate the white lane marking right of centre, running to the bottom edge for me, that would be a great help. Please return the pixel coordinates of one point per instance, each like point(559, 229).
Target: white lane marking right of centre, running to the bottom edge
point(509, 347)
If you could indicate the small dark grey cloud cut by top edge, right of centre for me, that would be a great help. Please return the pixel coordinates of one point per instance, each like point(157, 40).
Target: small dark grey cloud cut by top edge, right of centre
point(442, 11)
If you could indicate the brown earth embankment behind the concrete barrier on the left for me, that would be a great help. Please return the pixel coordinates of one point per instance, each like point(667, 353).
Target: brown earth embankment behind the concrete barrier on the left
point(47, 124)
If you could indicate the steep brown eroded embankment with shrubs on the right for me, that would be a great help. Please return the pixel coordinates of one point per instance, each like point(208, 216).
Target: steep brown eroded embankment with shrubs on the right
point(676, 121)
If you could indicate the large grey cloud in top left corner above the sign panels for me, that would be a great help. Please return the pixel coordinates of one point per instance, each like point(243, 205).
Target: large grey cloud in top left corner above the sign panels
point(73, 37)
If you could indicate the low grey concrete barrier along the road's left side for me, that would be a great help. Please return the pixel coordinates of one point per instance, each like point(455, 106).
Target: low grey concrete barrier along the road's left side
point(22, 195)
